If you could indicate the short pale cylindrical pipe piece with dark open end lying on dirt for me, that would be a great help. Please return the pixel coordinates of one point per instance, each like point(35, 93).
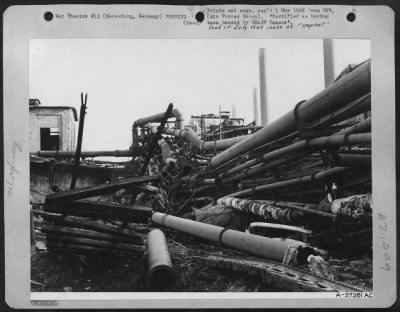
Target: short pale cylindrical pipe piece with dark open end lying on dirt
point(159, 260)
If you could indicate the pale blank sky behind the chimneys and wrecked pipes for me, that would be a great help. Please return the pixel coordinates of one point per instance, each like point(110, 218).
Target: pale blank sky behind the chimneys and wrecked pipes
point(129, 79)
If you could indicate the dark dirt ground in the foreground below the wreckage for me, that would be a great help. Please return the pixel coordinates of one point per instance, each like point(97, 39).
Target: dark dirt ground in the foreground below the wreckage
point(56, 272)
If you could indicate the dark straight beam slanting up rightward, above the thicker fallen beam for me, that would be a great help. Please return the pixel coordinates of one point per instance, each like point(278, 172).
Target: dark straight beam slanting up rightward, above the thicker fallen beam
point(96, 190)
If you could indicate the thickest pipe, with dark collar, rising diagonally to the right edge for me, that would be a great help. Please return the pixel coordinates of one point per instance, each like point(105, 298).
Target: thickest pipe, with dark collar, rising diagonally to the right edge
point(345, 90)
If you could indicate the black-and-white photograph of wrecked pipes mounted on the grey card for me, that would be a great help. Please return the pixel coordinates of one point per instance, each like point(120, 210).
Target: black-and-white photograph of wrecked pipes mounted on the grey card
point(200, 165)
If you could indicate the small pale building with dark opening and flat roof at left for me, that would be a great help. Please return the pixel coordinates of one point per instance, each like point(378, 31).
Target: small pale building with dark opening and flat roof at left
point(51, 127)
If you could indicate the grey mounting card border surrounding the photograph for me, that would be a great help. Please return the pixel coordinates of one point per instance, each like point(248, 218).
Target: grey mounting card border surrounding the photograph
point(22, 23)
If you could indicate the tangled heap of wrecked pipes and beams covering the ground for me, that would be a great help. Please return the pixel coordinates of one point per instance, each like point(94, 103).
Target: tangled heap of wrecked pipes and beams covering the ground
point(311, 168)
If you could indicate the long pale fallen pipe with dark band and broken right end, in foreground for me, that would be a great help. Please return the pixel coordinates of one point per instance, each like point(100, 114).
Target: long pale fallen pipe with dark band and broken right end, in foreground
point(260, 246)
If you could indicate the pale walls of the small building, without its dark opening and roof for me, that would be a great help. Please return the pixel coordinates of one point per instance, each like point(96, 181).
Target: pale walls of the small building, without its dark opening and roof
point(52, 117)
